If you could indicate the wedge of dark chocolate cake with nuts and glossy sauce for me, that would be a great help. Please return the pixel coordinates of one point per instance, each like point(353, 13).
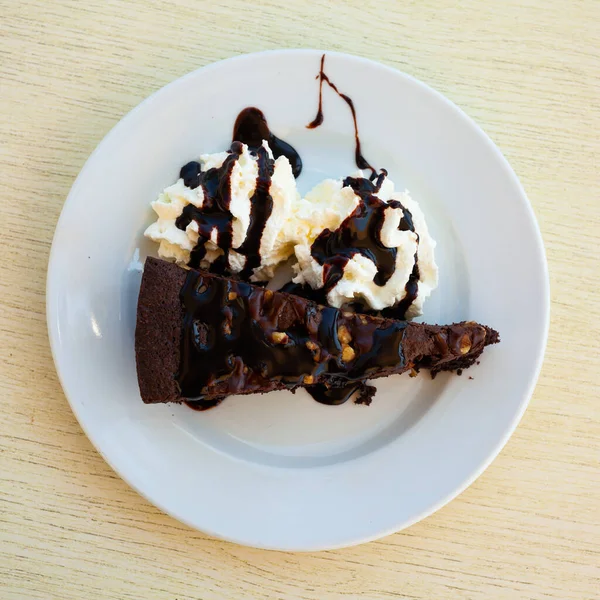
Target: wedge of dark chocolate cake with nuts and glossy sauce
point(201, 337)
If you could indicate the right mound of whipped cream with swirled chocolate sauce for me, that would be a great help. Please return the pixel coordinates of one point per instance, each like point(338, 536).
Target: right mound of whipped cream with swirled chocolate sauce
point(359, 277)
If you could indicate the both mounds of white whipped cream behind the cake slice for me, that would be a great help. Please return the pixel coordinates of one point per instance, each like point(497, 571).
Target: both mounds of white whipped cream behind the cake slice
point(295, 225)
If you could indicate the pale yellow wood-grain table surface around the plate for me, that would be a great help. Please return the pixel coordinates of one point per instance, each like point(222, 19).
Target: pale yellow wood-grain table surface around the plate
point(528, 72)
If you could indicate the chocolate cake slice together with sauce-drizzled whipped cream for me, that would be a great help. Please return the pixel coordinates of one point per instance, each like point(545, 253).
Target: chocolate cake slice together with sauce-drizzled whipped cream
point(363, 263)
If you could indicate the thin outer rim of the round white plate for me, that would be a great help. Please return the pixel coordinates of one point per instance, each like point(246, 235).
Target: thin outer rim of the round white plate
point(52, 309)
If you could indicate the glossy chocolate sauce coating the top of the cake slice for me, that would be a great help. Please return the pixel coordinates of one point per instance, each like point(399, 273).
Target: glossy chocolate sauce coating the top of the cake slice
point(228, 340)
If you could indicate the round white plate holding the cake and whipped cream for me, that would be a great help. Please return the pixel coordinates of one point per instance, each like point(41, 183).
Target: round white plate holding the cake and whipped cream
point(280, 470)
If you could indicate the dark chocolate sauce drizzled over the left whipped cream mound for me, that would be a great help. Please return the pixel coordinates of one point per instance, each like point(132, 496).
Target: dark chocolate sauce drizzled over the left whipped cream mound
point(250, 128)
